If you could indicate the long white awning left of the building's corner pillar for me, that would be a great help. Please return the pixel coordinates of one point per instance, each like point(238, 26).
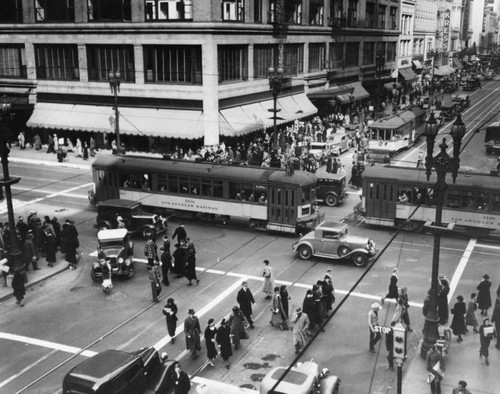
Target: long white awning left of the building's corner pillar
point(168, 123)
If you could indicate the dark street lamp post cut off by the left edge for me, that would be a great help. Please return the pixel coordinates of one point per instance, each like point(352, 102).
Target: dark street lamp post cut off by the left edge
point(15, 253)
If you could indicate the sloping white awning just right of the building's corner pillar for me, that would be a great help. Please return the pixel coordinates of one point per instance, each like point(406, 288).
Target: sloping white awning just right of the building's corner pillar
point(244, 119)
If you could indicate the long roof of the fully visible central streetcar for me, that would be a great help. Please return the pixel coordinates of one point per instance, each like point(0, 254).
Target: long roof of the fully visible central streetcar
point(217, 171)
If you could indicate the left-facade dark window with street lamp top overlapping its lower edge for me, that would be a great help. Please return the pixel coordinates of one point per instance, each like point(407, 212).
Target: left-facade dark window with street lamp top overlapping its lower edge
point(102, 59)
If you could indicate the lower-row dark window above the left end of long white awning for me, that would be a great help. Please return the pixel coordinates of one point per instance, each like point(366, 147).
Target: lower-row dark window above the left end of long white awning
point(57, 62)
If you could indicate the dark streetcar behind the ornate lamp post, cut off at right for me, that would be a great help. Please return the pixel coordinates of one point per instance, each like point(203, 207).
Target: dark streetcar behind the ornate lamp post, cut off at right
point(391, 194)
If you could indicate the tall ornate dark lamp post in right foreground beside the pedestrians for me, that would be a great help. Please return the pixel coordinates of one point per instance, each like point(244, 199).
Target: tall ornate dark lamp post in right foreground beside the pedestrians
point(442, 163)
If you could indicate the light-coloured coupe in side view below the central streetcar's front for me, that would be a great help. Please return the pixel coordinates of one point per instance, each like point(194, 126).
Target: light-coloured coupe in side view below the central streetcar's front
point(331, 240)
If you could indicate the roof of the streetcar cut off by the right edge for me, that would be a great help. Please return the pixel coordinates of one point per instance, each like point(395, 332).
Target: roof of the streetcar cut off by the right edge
point(405, 175)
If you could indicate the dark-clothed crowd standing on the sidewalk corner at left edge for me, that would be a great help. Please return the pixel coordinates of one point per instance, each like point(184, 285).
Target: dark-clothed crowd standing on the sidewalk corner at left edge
point(32, 240)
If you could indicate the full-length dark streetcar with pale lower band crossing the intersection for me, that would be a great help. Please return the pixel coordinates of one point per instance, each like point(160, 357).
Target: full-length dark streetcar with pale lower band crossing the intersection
point(266, 198)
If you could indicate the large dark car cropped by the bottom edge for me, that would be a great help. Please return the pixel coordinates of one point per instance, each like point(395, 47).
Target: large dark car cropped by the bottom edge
point(119, 372)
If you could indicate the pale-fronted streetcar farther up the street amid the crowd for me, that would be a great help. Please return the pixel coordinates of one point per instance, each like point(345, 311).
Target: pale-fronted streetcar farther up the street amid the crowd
point(394, 133)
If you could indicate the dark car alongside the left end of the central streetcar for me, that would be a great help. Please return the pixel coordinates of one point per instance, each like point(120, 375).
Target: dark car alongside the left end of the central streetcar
point(131, 215)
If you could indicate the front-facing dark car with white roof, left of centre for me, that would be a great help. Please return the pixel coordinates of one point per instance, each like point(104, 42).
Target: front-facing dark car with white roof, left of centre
point(115, 248)
